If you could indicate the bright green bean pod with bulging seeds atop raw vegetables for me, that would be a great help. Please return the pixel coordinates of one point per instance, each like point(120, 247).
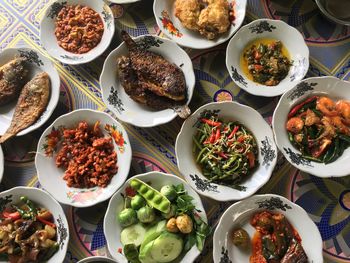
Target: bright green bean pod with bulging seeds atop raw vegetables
point(152, 196)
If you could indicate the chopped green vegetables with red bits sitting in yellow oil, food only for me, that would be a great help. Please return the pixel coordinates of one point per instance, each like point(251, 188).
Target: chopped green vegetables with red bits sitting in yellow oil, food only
point(266, 63)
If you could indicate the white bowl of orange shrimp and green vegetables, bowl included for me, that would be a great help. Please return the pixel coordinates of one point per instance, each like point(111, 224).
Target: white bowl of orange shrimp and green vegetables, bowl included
point(311, 124)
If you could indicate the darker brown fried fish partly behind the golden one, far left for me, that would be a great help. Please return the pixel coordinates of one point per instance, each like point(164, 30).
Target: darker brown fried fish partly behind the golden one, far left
point(12, 77)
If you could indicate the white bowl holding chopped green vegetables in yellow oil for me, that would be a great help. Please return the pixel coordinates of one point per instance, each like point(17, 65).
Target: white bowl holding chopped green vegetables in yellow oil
point(267, 57)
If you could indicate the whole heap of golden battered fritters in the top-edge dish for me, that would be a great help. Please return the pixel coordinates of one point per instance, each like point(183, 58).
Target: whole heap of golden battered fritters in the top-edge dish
point(209, 17)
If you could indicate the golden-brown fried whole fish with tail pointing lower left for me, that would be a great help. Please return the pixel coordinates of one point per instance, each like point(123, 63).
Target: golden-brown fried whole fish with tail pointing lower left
point(32, 102)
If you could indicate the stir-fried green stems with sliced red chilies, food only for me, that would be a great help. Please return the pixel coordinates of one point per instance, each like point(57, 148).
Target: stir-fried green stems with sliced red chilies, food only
point(225, 151)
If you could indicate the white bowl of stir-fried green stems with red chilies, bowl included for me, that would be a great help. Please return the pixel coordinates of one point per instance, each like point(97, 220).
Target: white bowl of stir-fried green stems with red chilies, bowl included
point(226, 151)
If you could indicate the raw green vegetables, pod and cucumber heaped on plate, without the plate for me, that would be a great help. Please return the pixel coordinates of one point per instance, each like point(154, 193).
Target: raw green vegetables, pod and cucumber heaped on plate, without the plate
point(159, 226)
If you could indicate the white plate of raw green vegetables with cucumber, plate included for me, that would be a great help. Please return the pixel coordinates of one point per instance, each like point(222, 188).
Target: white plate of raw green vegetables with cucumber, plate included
point(155, 217)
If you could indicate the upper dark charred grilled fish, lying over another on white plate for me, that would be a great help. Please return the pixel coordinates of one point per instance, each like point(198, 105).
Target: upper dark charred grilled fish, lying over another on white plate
point(155, 73)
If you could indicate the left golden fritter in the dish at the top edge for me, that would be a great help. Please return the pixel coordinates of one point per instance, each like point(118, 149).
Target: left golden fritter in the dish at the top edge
point(188, 11)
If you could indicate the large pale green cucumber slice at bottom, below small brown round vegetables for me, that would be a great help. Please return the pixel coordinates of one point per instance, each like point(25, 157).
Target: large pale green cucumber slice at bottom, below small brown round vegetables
point(166, 247)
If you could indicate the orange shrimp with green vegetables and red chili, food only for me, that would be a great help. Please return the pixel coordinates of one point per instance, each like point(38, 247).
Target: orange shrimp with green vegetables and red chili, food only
point(319, 128)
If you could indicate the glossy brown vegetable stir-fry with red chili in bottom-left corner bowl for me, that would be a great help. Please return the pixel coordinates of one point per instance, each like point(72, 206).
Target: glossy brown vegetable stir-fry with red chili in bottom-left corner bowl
point(27, 232)
